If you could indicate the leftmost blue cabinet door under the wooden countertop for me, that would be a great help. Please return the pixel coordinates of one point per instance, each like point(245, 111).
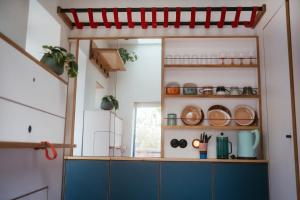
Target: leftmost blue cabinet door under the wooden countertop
point(86, 179)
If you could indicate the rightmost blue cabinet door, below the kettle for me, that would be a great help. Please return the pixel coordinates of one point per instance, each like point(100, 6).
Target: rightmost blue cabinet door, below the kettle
point(241, 182)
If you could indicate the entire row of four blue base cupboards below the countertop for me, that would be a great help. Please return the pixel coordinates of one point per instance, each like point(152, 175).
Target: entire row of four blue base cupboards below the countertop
point(164, 180)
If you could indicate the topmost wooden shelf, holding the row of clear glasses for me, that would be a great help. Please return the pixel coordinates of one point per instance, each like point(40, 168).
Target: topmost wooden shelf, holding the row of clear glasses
point(210, 66)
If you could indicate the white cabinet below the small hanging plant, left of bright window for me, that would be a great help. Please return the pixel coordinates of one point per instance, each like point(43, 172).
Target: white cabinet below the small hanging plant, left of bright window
point(102, 130)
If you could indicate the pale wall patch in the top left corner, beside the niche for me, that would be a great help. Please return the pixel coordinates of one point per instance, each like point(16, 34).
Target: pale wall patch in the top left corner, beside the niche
point(13, 20)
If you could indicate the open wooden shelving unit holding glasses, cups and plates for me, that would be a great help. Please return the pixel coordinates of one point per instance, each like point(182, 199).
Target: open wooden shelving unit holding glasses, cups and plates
point(191, 98)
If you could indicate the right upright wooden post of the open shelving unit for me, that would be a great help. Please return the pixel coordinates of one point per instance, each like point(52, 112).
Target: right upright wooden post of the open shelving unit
point(260, 100)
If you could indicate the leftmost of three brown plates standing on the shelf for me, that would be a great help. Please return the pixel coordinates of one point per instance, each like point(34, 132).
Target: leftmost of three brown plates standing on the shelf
point(192, 115)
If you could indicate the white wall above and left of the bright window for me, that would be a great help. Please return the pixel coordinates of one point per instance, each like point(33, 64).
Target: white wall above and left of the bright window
point(141, 82)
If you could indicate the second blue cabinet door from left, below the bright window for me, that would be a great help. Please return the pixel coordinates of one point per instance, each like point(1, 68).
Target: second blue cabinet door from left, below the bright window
point(134, 180)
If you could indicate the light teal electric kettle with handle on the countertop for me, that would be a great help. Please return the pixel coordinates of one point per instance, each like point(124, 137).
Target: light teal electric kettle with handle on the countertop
point(247, 144)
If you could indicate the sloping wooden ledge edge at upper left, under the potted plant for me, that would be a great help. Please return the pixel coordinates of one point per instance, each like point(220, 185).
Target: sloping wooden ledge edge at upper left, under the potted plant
point(25, 53)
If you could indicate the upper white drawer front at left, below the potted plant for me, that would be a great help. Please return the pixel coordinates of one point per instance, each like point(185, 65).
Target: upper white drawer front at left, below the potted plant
point(24, 81)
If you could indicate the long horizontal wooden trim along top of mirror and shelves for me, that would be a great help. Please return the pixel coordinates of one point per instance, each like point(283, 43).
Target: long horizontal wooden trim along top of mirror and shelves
point(158, 37)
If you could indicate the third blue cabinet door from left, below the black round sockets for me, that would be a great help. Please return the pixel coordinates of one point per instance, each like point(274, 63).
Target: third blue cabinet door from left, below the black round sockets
point(185, 180)
